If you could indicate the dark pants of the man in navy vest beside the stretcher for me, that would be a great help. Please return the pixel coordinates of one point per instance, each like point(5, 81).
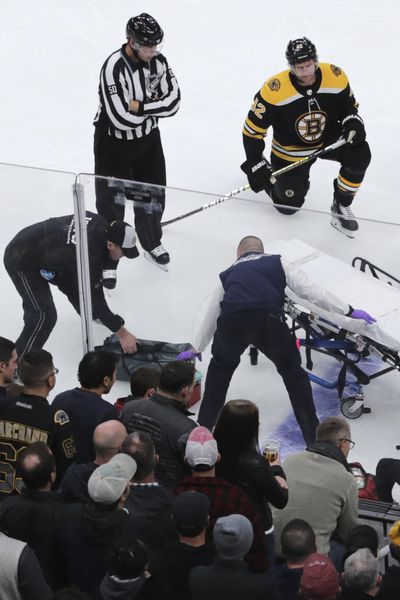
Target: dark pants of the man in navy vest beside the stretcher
point(235, 332)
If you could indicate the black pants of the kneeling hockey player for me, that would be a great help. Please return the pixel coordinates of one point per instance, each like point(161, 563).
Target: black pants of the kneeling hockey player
point(291, 189)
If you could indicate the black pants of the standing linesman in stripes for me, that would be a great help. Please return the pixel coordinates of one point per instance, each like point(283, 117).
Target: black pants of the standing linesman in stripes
point(138, 160)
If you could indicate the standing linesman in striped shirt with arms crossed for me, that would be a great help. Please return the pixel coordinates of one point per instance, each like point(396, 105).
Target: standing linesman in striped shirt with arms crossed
point(137, 88)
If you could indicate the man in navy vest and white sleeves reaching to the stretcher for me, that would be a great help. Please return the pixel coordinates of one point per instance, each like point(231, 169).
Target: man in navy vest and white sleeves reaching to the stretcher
point(249, 307)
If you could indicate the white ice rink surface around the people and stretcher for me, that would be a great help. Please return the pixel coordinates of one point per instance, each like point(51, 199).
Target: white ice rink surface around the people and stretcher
point(221, 53)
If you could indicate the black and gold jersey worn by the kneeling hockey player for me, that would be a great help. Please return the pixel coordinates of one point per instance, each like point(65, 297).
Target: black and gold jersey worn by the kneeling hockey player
point(303, 118)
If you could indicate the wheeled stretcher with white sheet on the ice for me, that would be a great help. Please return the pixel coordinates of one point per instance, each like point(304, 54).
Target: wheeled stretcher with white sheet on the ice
point(364, 351)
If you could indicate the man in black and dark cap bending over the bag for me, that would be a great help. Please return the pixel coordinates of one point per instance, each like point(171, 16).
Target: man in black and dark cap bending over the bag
point(45, 253)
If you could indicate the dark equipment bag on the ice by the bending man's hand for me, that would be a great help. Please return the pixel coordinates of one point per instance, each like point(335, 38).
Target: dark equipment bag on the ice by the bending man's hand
point(149, 353)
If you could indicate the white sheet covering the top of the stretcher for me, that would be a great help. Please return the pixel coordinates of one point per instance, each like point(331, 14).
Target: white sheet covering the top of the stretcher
point(354, 287)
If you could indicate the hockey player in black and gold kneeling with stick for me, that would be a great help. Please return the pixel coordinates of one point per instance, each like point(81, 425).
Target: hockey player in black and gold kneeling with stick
point(308, 106)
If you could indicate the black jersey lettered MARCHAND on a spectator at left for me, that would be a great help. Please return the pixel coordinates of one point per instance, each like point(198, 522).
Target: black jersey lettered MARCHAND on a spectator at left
point(26, 419)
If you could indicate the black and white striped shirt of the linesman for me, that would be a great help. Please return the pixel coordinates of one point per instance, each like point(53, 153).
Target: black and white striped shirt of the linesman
point(152, 84)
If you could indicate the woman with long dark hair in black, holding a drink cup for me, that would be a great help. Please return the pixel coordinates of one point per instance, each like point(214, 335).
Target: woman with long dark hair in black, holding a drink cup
point(242, 463)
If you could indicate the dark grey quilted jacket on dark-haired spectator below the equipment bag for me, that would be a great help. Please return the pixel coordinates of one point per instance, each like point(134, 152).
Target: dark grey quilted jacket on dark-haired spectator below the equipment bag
point(168, 423)
